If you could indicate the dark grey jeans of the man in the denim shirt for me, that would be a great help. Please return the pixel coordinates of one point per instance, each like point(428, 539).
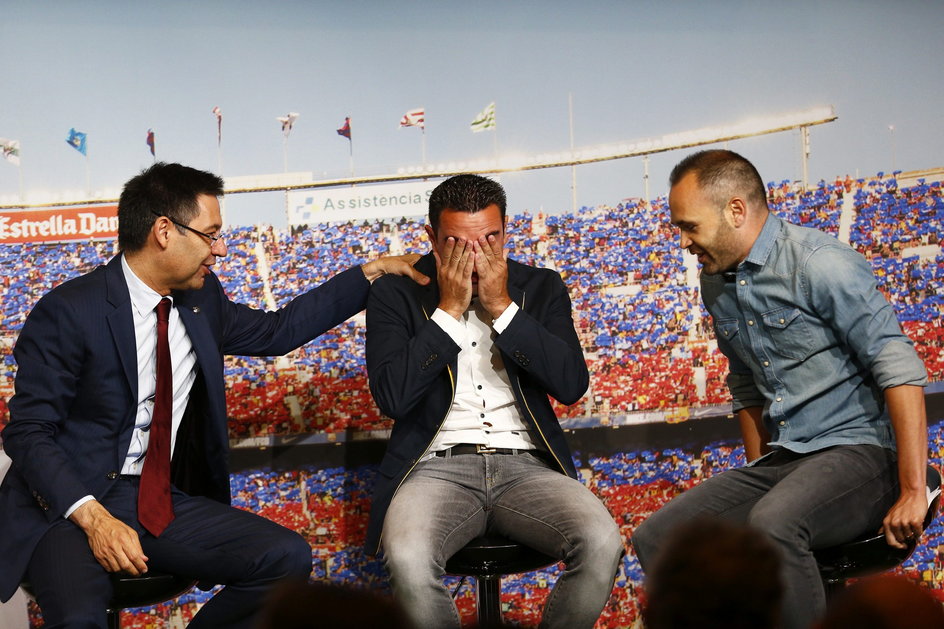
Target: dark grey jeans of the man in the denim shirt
point(801, 501)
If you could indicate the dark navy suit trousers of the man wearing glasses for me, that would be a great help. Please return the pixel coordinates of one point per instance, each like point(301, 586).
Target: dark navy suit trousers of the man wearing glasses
point(208, 541)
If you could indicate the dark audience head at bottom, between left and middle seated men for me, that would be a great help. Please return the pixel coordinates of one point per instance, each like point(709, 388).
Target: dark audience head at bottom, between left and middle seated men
point(301, 605)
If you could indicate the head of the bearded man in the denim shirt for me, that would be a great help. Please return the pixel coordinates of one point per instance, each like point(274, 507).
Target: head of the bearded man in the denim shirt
point(719, 204)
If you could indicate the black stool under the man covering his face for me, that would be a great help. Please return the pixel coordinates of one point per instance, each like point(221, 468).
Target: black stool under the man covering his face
point(488, 558)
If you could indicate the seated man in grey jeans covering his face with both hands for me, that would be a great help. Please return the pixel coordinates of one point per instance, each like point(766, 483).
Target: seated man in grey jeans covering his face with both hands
point(464, 366)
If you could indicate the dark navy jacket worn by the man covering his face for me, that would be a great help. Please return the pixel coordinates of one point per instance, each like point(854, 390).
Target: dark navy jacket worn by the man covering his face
point(411, 364)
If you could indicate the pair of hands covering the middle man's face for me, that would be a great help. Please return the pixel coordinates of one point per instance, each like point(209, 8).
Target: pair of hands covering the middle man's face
point(454, 269)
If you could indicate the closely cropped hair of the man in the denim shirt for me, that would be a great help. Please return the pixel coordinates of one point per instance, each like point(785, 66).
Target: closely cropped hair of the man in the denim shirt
point(723, 175)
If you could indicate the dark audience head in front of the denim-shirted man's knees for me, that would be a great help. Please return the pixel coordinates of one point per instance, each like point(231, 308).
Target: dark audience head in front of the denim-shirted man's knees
point(714, 574)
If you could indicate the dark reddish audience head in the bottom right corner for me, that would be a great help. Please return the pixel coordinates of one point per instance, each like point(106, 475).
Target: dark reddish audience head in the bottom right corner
point(883, 602)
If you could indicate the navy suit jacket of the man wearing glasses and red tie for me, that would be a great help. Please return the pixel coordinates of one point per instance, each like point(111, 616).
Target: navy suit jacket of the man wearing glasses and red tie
point(72, 414)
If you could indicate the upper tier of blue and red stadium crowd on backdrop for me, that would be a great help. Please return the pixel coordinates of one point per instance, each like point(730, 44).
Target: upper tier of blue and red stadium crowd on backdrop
point(637, 312)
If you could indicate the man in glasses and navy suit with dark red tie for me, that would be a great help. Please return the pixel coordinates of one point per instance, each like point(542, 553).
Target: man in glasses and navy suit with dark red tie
point(81, 415)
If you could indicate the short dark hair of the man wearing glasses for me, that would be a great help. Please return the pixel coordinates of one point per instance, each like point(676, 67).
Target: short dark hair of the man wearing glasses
point(169, 190)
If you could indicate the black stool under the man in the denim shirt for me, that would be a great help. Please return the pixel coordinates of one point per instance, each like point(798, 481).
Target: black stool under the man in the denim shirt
point(872, 554)
